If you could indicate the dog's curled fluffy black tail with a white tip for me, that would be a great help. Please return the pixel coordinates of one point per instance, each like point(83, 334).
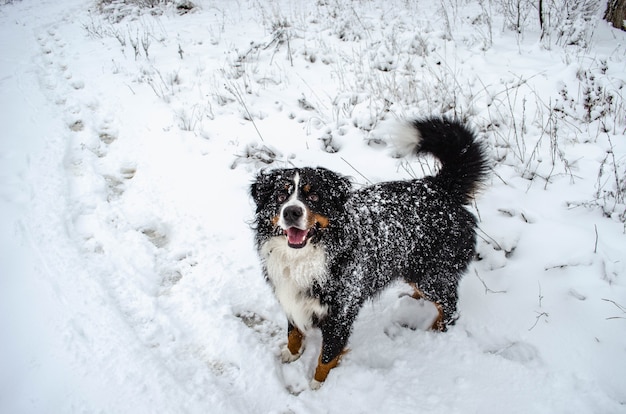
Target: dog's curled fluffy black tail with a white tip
point(463, 162)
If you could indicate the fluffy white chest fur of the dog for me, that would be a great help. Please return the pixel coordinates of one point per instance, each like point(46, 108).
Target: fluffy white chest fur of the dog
point(292, 272)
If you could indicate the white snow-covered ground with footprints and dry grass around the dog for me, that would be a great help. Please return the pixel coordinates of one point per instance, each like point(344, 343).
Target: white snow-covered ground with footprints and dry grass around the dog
point(128, 276)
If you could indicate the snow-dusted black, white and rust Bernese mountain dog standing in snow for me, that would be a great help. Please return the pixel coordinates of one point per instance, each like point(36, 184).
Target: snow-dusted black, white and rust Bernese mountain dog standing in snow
point(326, 248)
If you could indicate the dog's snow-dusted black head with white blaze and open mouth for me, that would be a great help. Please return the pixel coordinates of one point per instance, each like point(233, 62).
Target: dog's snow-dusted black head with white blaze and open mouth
point(299, 203)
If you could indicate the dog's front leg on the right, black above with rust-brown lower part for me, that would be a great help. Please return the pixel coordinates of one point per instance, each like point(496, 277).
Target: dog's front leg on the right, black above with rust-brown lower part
point(334, 339)
